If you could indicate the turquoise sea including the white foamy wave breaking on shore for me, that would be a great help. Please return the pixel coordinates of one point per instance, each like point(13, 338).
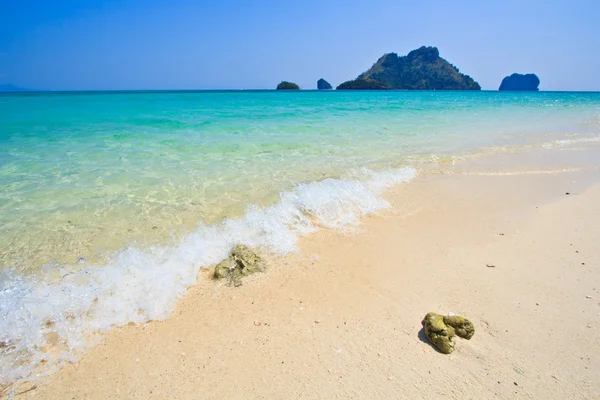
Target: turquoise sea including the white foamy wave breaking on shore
point(102, 195)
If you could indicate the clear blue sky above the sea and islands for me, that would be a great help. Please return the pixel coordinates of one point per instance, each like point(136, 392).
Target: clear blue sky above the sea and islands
point(226, 44)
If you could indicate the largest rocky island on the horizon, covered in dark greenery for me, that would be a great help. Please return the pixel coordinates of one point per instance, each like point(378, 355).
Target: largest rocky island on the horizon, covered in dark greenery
point(421, 69)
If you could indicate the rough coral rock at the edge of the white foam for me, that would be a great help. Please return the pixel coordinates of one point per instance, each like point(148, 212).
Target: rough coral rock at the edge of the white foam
point(242, 261)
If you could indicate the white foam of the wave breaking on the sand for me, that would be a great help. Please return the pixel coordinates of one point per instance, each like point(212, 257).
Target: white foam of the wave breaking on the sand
point(44, 323)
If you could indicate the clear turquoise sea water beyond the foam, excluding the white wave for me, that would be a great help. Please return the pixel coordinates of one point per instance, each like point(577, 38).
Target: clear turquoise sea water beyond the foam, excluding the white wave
point(85, 174)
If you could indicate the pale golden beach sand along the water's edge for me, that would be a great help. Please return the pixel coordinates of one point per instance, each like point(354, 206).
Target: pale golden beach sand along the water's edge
point(342, 318)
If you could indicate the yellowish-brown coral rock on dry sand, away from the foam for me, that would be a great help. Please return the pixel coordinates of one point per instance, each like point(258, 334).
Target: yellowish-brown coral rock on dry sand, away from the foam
point(441, 330)
